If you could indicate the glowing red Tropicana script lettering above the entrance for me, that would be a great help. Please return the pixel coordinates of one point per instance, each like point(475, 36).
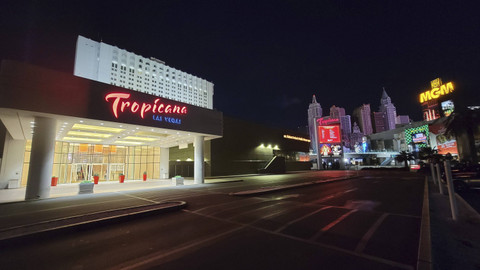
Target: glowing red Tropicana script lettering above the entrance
point(121, 102)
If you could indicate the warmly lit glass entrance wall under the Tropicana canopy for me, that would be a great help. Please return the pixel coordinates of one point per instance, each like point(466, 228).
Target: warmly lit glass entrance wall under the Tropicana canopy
point(74, 162)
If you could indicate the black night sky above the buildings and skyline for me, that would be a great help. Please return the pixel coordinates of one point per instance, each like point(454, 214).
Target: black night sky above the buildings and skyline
point(267, 58)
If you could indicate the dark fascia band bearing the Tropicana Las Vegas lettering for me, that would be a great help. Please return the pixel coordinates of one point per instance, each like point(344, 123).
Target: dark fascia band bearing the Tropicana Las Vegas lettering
point(78, 97)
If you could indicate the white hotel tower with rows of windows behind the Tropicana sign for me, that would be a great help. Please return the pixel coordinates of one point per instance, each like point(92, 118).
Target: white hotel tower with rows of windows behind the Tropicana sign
point(108, 64)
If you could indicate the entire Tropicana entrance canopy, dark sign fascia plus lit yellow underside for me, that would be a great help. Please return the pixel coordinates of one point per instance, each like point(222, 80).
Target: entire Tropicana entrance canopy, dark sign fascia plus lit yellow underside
point(92, 112)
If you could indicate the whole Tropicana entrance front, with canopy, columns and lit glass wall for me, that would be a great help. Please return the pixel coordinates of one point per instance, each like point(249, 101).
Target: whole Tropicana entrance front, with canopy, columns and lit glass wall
point(58, 124)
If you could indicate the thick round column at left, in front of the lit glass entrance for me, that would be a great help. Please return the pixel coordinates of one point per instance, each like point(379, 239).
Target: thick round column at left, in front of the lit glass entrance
point(41, 159)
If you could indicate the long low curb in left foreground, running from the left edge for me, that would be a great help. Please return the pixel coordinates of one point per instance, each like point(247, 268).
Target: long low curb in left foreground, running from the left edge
point(86, 221)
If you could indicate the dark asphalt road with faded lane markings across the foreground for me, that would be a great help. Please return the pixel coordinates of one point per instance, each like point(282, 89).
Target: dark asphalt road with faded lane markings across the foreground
point(369, 222)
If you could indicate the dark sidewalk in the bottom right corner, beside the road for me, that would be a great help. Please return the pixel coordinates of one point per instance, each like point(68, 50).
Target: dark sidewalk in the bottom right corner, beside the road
point(455, 244)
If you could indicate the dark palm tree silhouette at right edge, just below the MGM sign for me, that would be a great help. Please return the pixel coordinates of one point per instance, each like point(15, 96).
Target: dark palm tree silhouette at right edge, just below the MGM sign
point(462, 123)
